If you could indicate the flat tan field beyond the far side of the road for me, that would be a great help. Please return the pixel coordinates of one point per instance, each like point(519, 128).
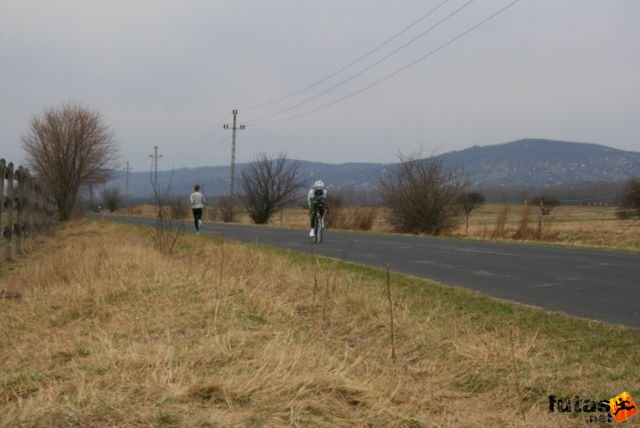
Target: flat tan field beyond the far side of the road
point(568, 225)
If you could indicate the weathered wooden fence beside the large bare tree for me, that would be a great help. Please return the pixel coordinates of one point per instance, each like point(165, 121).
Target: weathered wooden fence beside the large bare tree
point(25, 209)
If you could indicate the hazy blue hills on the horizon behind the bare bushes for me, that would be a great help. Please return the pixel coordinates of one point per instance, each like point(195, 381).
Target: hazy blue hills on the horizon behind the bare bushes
point(527, 162)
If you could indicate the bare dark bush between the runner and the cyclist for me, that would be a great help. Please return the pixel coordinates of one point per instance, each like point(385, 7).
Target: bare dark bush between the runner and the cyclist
point(269, 184)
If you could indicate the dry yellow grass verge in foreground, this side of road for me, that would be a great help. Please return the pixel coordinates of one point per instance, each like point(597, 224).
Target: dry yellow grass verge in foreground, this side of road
point(97, 328)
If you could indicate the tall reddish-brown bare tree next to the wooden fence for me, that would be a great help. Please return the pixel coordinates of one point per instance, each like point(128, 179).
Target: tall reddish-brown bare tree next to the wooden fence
point(69, 147)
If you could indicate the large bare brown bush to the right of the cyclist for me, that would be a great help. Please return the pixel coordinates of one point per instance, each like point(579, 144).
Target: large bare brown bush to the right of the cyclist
point(421, 196)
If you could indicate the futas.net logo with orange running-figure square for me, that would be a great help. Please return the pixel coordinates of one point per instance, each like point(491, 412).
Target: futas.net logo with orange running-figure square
point(619, 408)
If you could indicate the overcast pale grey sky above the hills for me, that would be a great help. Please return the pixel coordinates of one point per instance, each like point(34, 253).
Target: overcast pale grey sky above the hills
point(169, 73)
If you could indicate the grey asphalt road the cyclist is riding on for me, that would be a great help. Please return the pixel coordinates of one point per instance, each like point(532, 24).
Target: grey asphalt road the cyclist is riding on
point(594, 284)
